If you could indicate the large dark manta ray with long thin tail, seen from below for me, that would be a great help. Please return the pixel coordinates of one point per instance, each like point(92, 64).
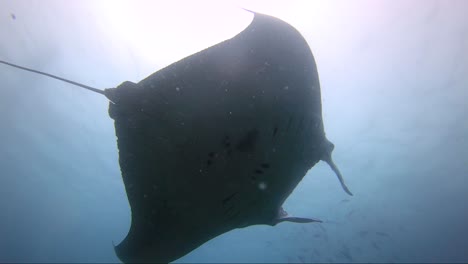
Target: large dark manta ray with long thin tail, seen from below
point(217, 140)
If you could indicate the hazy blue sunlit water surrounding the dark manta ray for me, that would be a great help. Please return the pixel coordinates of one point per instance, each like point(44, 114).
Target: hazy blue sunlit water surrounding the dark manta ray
point(394, 80)
